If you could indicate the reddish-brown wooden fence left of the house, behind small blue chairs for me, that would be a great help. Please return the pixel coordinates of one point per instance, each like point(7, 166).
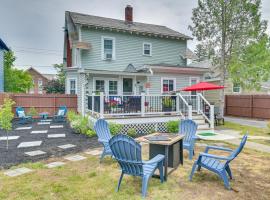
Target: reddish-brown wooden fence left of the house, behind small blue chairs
point(42, 102)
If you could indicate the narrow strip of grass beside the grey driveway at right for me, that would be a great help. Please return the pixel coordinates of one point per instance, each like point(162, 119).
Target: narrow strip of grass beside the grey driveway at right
point(247, 129)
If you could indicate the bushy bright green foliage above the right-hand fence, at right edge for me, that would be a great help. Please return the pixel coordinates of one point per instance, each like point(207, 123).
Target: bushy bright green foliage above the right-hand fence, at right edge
point(252, 66)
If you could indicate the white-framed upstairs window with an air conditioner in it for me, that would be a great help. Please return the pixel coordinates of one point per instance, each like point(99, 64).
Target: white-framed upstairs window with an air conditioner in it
point(108, 48)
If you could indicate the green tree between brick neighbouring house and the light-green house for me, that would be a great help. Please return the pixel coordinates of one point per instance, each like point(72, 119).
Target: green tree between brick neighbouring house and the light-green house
point(57, 85)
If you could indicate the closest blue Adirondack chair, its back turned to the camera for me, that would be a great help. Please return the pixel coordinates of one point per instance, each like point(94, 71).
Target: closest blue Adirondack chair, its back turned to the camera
point(128, 154)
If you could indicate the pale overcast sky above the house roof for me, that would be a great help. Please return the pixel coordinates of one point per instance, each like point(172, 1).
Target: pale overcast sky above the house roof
point(34, 28)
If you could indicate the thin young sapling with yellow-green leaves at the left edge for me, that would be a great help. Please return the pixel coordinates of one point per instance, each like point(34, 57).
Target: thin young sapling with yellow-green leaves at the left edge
point(6, 116)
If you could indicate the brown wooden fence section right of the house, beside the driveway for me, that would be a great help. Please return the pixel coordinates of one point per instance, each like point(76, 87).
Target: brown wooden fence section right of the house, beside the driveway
point(252, 106)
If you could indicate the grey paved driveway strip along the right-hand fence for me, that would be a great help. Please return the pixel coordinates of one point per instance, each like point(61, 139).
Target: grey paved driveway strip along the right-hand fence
point(248, 122)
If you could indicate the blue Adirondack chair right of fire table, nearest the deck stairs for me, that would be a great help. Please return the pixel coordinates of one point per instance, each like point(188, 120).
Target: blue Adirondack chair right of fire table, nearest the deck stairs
point(188, 128)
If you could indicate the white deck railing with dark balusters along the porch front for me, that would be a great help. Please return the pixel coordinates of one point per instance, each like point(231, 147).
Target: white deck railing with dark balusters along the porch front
point(141, 105)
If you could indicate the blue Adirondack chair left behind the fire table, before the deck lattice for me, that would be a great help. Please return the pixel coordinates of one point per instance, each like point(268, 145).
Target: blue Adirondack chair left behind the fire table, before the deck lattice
point(103, 132)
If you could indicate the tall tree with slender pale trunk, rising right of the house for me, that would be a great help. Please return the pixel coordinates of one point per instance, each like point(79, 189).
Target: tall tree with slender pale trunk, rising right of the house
point(230, 25)
